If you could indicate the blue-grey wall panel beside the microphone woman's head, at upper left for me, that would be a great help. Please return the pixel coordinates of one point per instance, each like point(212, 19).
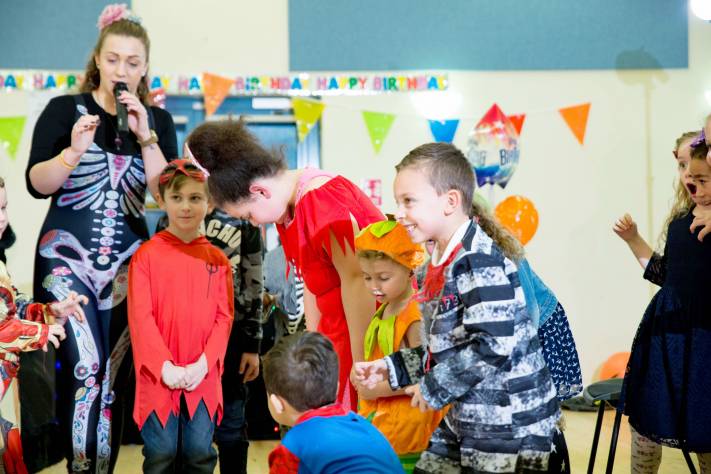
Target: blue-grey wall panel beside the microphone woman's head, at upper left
point(48, 34)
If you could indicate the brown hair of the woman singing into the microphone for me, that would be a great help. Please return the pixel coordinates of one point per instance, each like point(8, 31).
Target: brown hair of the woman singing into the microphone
point(124, 27)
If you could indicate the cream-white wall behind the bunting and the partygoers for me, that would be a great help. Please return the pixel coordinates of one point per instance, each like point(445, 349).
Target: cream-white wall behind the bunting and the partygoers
point(579, 190)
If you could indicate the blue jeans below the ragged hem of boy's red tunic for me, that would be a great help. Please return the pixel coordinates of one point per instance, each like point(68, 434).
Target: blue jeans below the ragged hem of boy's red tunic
point(183, 445)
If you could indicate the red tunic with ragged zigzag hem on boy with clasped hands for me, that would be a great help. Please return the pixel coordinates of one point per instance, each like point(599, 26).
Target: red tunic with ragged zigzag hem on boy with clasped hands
point(180, 304)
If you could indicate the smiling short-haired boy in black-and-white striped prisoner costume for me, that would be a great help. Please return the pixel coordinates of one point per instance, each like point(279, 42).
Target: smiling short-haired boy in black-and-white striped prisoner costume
point(481, 354)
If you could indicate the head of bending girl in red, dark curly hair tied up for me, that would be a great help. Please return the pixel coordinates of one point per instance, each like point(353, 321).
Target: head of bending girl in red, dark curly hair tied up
point(241, 171)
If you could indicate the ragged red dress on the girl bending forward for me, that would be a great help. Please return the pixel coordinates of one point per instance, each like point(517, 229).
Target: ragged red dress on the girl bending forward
point(307, 245)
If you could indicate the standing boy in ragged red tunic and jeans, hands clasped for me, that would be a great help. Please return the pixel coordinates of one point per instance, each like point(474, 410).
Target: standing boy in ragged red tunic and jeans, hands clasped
point(180, 310)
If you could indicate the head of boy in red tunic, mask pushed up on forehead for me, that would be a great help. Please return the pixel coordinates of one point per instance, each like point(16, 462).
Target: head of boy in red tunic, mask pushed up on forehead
point(184, 196)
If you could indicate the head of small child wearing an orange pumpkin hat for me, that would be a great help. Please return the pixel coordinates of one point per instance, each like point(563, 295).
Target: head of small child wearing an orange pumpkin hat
point(387, 257)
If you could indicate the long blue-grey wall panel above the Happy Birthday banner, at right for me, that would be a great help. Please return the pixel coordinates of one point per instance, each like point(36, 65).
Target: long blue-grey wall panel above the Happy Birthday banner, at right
point(373, 35)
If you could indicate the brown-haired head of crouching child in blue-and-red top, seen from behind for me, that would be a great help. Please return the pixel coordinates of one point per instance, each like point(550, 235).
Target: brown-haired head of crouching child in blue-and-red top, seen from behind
point(300, 374)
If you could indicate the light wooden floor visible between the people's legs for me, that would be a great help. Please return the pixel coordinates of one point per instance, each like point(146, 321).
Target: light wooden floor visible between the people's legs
point(579, 431)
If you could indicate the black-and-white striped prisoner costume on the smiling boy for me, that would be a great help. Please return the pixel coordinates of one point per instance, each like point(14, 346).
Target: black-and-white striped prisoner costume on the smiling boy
point(486, 362)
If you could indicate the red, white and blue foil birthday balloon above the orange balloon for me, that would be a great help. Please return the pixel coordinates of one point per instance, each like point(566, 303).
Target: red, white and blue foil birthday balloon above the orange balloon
point(493, 148)
